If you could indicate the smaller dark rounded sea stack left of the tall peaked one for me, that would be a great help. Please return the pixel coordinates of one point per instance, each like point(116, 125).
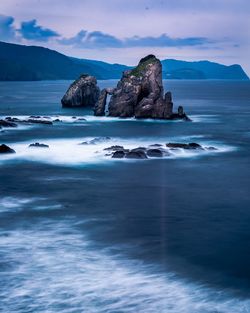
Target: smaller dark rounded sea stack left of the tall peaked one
point(84, 92)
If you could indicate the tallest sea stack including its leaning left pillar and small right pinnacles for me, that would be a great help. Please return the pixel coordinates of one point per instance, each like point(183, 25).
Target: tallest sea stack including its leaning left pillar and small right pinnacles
point(140, 94)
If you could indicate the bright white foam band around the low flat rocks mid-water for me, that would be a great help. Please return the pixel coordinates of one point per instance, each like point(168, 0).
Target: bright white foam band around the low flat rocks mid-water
point(70, 152)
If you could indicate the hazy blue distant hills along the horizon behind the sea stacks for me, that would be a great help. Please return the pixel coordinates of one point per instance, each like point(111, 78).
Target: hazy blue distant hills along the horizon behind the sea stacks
point(18, 62)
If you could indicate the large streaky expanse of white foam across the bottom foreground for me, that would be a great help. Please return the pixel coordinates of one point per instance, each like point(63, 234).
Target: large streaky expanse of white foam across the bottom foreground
point(58, 269)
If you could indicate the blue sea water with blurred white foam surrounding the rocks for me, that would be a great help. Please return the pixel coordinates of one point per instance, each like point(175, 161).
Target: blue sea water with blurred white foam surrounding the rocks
point(80, 232)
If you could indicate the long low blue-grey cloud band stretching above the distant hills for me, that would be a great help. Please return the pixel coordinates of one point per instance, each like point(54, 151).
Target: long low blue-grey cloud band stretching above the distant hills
point(97, 39)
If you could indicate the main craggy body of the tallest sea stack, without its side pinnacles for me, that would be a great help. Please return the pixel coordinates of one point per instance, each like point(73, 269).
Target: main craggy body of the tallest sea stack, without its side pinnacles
point(140, 92)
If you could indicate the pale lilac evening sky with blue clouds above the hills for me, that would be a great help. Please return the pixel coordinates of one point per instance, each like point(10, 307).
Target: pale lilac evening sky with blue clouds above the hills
point(123, 31)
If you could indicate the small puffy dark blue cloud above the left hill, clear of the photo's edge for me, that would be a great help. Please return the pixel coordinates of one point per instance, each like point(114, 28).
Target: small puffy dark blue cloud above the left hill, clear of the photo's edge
point(31, 31)
